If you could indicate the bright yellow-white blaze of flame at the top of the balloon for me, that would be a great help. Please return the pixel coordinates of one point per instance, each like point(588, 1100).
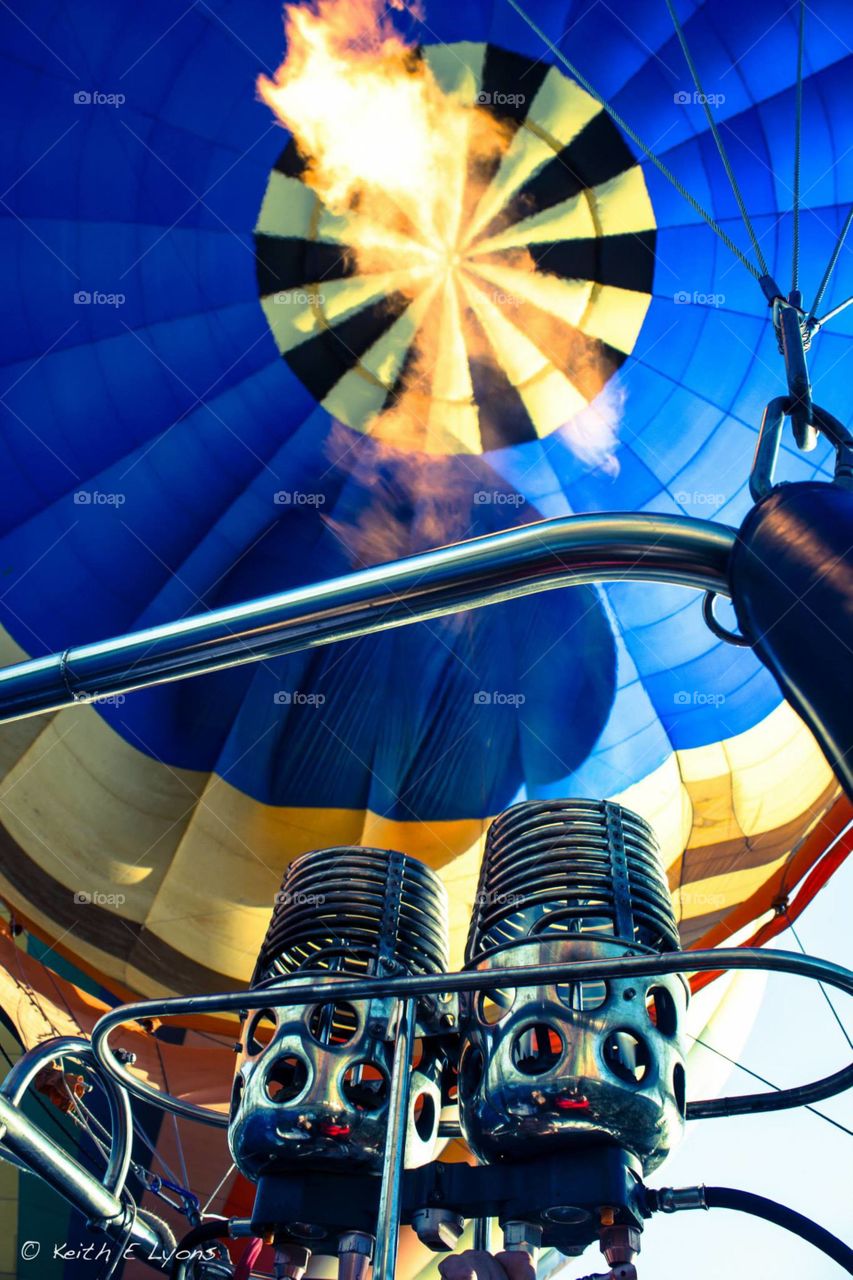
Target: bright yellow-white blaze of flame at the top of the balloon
point(382, 140)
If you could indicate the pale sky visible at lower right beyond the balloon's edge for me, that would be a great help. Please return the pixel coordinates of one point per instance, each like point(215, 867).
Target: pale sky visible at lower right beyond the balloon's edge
point(792, 1156)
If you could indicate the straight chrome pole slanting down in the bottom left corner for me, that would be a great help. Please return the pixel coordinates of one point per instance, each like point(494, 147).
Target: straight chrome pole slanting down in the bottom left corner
point(74, 1183)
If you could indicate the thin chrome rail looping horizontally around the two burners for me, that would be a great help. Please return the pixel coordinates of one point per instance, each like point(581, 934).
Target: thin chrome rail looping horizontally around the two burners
point(298, 991)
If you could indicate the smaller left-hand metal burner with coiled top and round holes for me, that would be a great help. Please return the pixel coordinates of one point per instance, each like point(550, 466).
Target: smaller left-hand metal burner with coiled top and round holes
point(313, 1084)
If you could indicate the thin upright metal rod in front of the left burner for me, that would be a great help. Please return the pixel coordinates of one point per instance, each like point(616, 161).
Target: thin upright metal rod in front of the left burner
point(389, 1219)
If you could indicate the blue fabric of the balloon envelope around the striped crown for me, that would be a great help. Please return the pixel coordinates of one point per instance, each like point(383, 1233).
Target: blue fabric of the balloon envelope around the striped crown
point(152, 426)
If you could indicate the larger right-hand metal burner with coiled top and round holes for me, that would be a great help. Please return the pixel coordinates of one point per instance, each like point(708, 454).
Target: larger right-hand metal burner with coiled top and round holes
point(572, 1063)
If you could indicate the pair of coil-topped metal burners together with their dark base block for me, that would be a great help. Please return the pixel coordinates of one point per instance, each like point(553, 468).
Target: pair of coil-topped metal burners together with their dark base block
point(568, 1091)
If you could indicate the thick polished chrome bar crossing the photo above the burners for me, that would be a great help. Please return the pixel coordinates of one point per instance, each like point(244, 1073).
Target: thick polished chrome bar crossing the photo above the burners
point(553, 554)
